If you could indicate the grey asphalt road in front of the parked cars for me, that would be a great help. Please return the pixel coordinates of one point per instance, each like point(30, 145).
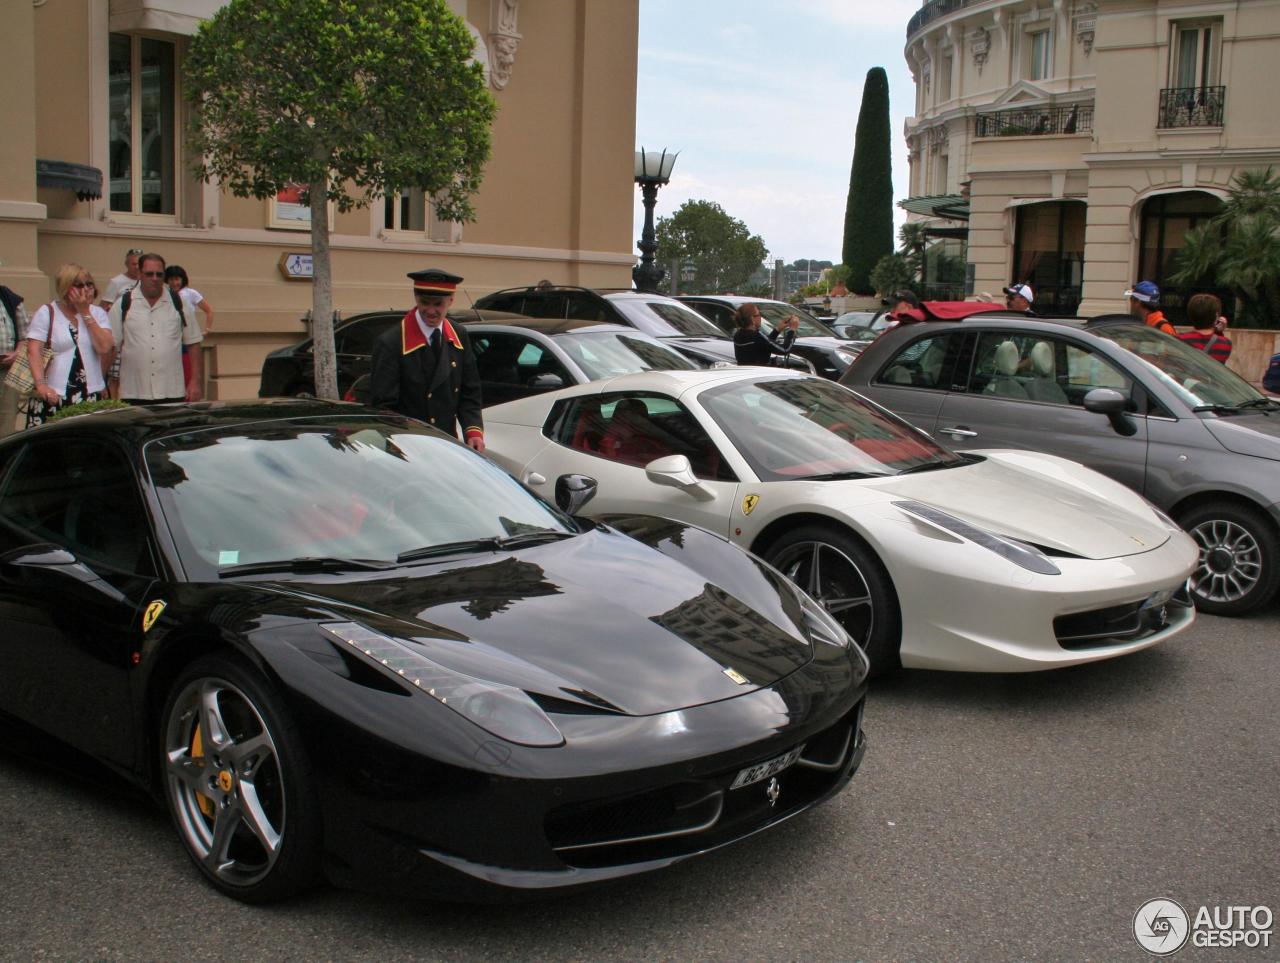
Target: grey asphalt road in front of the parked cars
point(995, 818)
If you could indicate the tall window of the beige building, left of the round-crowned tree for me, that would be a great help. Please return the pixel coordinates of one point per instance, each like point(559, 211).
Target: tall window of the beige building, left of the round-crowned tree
point(143, 126)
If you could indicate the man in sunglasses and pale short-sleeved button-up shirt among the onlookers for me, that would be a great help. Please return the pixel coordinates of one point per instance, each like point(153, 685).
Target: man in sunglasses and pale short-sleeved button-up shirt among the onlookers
point(149, 341)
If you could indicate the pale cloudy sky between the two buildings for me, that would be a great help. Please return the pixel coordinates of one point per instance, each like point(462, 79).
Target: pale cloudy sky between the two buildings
point(761, 98)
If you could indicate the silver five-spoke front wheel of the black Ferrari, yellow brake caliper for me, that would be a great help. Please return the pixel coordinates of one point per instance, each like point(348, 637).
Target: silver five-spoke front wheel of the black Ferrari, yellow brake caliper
point(244, 801)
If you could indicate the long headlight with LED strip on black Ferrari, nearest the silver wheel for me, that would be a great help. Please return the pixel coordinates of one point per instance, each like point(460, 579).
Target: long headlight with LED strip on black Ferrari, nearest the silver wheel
point(502, 710)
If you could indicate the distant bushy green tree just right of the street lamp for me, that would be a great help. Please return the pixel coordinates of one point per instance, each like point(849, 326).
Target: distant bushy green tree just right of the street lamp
point(723, 250)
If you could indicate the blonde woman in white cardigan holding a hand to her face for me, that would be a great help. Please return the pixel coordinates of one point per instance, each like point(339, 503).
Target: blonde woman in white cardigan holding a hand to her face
point(80, 335)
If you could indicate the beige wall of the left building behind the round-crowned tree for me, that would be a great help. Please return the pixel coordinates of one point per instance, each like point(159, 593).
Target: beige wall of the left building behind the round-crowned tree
point(556, 200)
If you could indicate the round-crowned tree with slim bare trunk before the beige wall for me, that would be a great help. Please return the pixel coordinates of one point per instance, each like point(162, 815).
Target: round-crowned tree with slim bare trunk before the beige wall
point(353, 102)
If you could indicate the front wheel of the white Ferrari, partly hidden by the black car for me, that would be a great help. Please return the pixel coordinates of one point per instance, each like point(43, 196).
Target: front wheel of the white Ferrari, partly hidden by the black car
point(843, 574)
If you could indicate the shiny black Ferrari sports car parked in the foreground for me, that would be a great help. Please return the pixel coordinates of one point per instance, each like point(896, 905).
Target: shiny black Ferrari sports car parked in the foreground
point(341, 645)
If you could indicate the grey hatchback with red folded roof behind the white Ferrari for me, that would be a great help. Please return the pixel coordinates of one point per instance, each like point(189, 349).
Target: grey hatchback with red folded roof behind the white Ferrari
point(1141, 407)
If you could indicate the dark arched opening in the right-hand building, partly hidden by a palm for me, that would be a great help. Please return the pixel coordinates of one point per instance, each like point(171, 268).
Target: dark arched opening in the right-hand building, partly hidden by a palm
point(1167, 220)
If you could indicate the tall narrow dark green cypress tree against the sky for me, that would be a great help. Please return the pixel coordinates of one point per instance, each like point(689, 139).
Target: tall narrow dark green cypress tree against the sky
point(870, 211)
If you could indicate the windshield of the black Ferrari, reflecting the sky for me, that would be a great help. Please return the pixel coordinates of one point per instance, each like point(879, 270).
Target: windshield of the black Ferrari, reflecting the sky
point(358, 490)
